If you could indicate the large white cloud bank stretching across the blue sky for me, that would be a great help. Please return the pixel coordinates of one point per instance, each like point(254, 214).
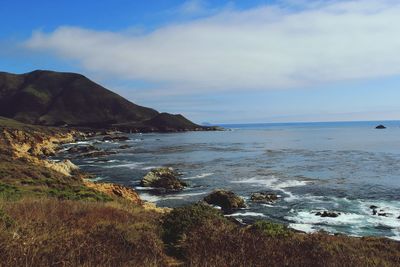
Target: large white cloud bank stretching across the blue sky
point(268, 47)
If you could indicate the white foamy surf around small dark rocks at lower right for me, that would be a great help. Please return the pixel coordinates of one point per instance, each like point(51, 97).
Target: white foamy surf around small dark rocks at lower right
point(356, 217)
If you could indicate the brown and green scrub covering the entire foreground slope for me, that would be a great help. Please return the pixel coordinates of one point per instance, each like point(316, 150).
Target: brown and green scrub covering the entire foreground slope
point(50, 219)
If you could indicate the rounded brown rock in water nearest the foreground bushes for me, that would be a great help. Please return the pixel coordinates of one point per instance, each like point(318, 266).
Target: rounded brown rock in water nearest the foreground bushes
point(227, 200)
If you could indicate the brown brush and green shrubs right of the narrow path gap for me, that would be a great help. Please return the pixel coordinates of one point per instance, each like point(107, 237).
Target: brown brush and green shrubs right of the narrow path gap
point(202, 237)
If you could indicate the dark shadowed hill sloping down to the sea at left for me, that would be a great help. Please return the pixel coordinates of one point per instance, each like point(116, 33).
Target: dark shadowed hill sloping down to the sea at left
point(56, 98)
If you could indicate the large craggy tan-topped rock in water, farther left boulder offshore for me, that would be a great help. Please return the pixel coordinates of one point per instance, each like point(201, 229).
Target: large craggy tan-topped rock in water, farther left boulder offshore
point(164, 178)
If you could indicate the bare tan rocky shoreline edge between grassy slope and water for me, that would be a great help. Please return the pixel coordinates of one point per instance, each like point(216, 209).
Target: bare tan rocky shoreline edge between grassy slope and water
point(35, 147)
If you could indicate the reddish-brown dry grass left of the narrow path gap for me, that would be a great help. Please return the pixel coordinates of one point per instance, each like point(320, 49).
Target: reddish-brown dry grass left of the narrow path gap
point(50, 232)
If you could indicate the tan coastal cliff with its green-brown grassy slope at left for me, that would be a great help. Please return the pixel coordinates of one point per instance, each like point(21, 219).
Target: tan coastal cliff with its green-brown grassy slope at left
point(24, 151)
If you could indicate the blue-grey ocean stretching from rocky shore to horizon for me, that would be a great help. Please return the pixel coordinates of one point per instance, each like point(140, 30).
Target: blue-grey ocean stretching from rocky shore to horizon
point(344, 167)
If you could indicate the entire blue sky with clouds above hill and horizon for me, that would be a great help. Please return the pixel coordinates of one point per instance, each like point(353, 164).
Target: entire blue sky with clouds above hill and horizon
point(219, 61)
